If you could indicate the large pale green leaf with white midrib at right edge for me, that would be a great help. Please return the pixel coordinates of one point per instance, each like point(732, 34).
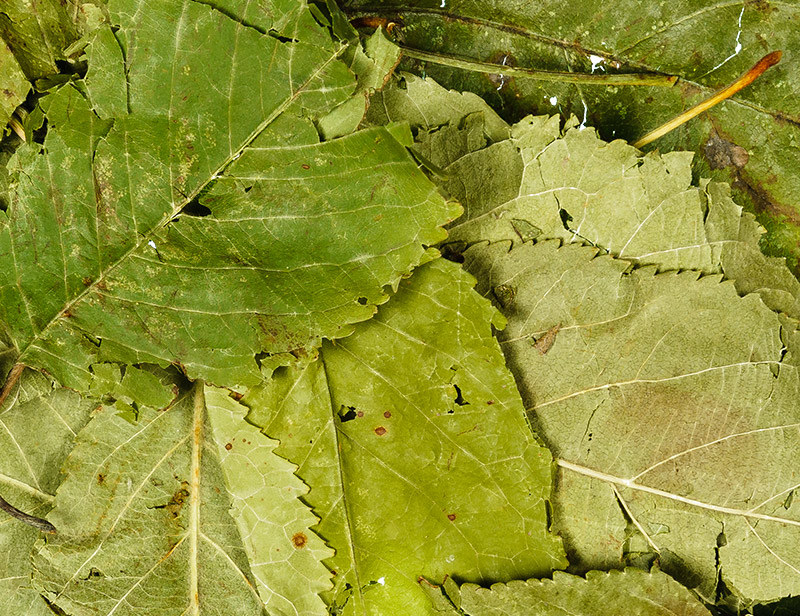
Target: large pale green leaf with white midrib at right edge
point(670, 405)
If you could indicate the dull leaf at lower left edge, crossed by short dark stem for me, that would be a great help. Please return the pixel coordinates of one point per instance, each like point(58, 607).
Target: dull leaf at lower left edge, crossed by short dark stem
point(30, 463)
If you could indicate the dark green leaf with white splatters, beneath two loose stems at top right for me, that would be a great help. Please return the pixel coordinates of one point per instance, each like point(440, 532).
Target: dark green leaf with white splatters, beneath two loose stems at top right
point(749, 141)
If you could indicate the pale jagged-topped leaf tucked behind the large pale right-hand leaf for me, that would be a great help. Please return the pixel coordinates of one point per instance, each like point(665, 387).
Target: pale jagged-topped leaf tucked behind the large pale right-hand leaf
point(545, 182)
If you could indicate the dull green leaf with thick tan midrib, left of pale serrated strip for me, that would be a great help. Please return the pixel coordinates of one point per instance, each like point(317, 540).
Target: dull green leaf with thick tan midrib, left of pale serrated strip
point(143, 524)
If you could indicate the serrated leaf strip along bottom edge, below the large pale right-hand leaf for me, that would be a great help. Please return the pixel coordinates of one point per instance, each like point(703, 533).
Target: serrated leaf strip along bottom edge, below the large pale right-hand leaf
point(631, 591)
